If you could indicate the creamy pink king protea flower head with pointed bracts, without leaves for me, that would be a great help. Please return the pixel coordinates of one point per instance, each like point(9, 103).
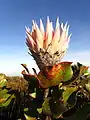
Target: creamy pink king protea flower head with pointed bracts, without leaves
point(48, 46)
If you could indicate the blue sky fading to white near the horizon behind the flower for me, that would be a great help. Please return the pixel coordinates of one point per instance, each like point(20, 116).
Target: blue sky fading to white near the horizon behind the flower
point(16, 14)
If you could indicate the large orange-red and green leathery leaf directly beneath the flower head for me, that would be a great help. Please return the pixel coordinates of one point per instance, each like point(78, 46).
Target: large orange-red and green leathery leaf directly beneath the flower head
point(53, 75)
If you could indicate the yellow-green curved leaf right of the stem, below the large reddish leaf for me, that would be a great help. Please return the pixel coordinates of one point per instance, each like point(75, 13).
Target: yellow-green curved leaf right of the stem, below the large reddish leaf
point(67, 92)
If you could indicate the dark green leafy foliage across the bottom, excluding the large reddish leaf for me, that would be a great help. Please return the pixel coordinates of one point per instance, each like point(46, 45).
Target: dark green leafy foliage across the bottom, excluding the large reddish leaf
point(24, 98)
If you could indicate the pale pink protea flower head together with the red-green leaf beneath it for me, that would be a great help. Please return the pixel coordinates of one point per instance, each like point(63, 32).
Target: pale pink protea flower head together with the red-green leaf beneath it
point(48, 48)
